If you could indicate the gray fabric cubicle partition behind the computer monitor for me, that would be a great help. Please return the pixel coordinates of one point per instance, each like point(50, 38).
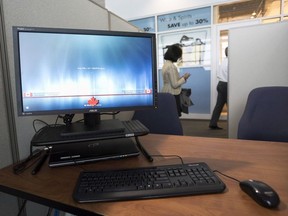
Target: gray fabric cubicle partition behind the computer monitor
point(84, 14)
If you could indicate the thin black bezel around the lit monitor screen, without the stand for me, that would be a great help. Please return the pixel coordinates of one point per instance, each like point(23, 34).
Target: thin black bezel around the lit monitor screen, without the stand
point(19, 103)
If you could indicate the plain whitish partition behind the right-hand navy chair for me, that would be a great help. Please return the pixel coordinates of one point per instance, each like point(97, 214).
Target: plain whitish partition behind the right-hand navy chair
point(257, 57)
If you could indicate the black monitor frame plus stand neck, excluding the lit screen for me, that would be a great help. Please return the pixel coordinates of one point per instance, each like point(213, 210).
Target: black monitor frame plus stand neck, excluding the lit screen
point(91, 116)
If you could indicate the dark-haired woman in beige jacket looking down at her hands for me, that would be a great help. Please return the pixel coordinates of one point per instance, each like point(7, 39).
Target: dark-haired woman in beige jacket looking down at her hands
point(172, 81)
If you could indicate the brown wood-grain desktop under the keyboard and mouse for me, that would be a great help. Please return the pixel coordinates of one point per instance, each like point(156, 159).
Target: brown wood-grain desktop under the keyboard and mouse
point(266, 161)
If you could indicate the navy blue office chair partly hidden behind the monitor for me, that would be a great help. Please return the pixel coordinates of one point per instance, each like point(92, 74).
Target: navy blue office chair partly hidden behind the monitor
point(164, 119)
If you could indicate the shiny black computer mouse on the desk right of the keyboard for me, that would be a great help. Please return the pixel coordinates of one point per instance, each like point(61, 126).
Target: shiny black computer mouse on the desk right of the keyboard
point(262, 193)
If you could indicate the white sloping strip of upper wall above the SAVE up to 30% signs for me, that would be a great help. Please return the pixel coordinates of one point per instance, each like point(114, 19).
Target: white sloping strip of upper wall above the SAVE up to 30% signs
point(133, 9)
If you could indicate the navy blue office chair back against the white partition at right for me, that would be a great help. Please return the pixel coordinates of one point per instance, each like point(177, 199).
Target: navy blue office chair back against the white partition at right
point(265, 116)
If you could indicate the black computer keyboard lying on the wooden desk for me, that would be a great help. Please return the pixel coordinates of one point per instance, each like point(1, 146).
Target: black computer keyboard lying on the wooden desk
point(150, 182)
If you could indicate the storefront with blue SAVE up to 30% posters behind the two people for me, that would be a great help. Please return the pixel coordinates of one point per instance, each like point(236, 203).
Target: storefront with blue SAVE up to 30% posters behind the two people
point(203, 33)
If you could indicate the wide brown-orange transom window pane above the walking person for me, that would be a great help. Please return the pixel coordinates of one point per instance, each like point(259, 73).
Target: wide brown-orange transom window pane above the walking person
point(243, 10)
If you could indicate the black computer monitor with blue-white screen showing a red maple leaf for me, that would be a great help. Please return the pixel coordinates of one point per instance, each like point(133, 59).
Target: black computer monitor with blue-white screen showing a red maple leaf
point(70, 71)
